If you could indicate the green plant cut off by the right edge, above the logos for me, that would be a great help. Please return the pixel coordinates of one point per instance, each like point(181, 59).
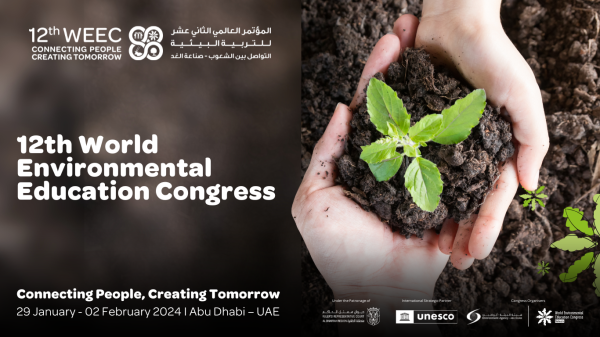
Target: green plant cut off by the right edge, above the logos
point(574, 243)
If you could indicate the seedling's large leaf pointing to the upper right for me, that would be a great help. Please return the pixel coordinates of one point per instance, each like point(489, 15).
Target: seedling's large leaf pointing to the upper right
point(461, 117)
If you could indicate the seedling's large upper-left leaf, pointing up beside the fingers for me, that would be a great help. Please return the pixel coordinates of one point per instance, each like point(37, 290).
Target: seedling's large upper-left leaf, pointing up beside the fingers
point(384, 106)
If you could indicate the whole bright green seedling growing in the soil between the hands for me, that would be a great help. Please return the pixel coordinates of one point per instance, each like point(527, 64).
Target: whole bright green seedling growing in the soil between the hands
point(388, 114)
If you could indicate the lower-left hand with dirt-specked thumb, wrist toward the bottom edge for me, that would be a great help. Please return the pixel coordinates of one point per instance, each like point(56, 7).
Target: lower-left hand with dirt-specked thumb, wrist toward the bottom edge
point(357, 254)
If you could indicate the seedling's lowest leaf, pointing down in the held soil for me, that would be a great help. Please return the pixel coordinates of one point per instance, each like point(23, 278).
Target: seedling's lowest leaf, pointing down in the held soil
point(423, 181)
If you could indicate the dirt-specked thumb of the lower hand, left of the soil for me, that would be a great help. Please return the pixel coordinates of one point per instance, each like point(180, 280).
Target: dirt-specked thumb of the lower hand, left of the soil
point(321, 171)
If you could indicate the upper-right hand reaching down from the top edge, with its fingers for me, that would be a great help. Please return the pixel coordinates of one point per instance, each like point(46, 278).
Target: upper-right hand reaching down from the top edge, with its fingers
point(467, 35)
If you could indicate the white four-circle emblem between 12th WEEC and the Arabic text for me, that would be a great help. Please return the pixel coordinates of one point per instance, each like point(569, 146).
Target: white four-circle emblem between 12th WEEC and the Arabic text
point(145, 43)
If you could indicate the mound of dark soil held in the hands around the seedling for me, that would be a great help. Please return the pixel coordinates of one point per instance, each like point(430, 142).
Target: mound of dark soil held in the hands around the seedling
point(468, 169)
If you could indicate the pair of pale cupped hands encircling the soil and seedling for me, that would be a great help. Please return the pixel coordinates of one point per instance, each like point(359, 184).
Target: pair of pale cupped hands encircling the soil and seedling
point(358, 254)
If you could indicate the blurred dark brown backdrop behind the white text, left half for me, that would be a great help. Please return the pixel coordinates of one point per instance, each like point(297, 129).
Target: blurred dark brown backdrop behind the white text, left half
point(243, 115)
